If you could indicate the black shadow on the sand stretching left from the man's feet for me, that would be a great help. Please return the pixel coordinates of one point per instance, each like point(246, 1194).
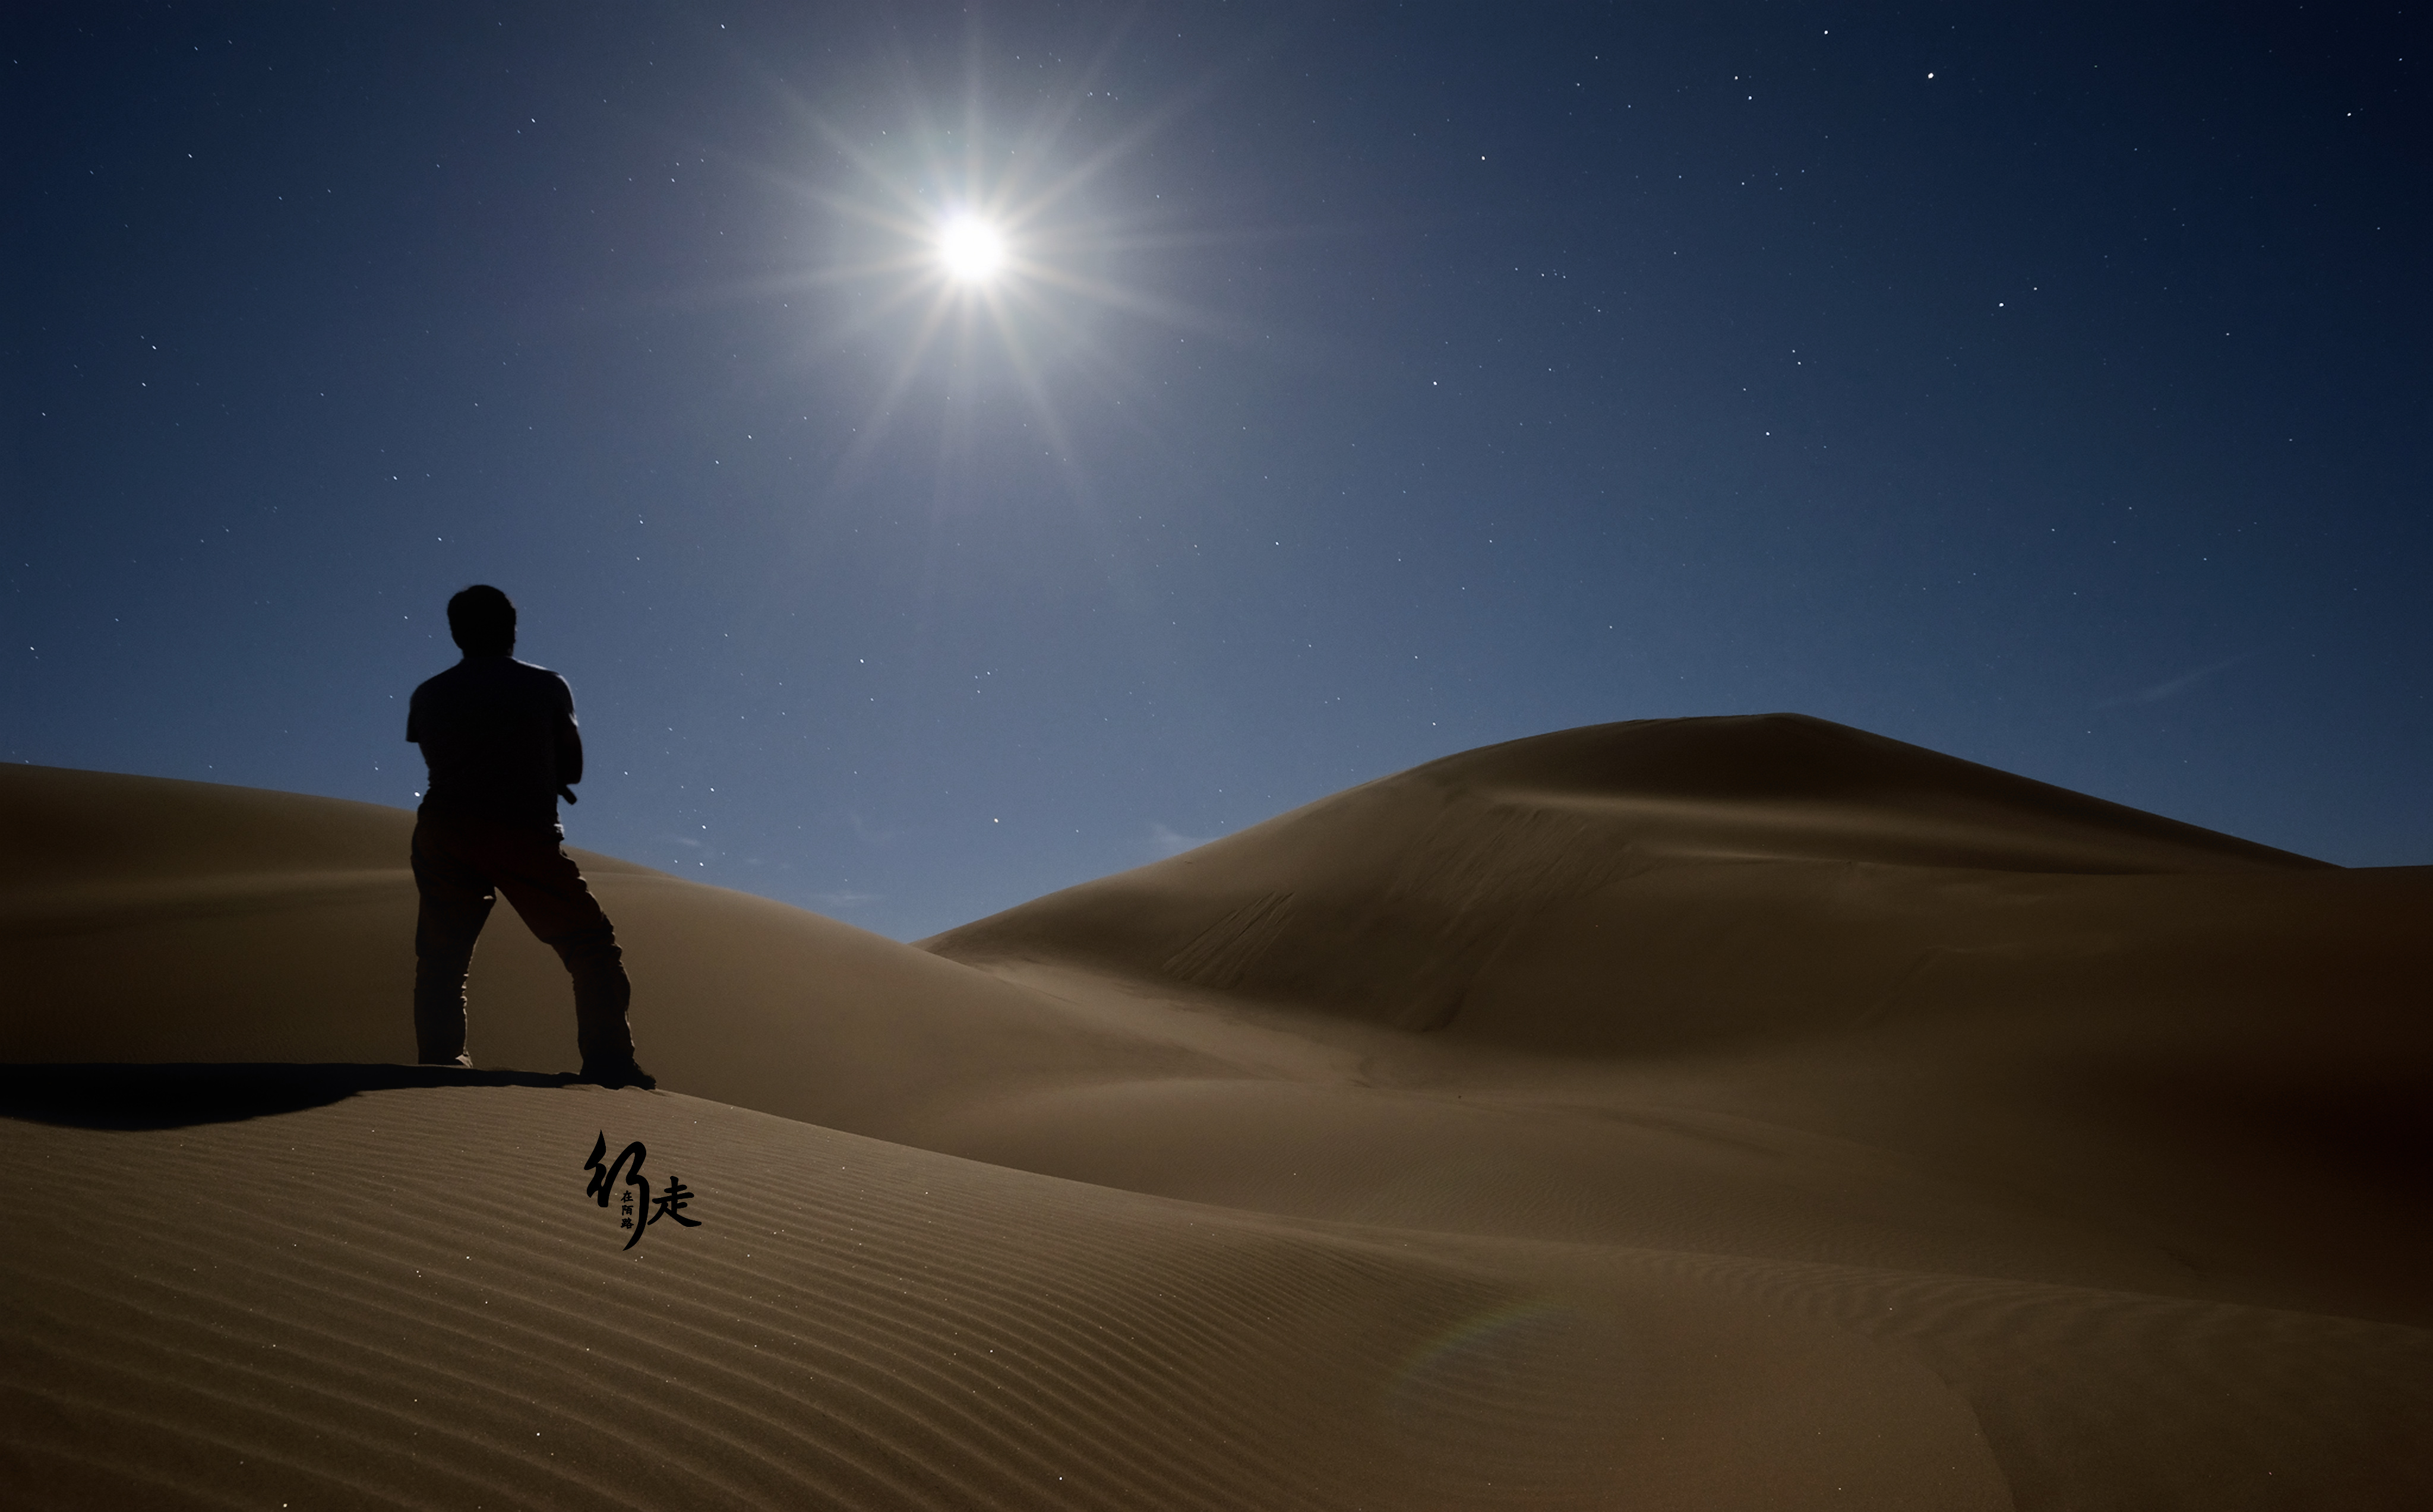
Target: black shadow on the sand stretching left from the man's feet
point(181, 1095)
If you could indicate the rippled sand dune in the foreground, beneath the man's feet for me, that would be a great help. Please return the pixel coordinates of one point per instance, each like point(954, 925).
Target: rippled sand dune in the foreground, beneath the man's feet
point(403, 1299)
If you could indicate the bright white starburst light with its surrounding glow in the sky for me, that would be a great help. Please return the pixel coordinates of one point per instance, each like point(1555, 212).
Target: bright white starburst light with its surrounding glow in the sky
point(972, 264)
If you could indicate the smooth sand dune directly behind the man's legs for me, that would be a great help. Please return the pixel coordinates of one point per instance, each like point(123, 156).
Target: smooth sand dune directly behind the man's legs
point(137, 947)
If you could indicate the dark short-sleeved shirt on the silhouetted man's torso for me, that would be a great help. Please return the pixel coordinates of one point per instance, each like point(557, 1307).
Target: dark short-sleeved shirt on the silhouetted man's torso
point(500, 740)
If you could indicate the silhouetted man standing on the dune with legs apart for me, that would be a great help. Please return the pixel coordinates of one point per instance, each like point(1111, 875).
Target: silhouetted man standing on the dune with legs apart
point(502, 750)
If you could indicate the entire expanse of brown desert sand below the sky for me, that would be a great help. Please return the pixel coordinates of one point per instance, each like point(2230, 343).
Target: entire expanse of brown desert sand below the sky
point(1731, 1112)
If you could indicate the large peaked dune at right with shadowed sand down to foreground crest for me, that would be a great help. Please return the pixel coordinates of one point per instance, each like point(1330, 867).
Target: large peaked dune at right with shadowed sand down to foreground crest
point(1775, 988)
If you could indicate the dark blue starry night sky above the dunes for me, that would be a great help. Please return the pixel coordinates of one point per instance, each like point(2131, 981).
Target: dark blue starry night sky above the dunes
point(1364, 385)
